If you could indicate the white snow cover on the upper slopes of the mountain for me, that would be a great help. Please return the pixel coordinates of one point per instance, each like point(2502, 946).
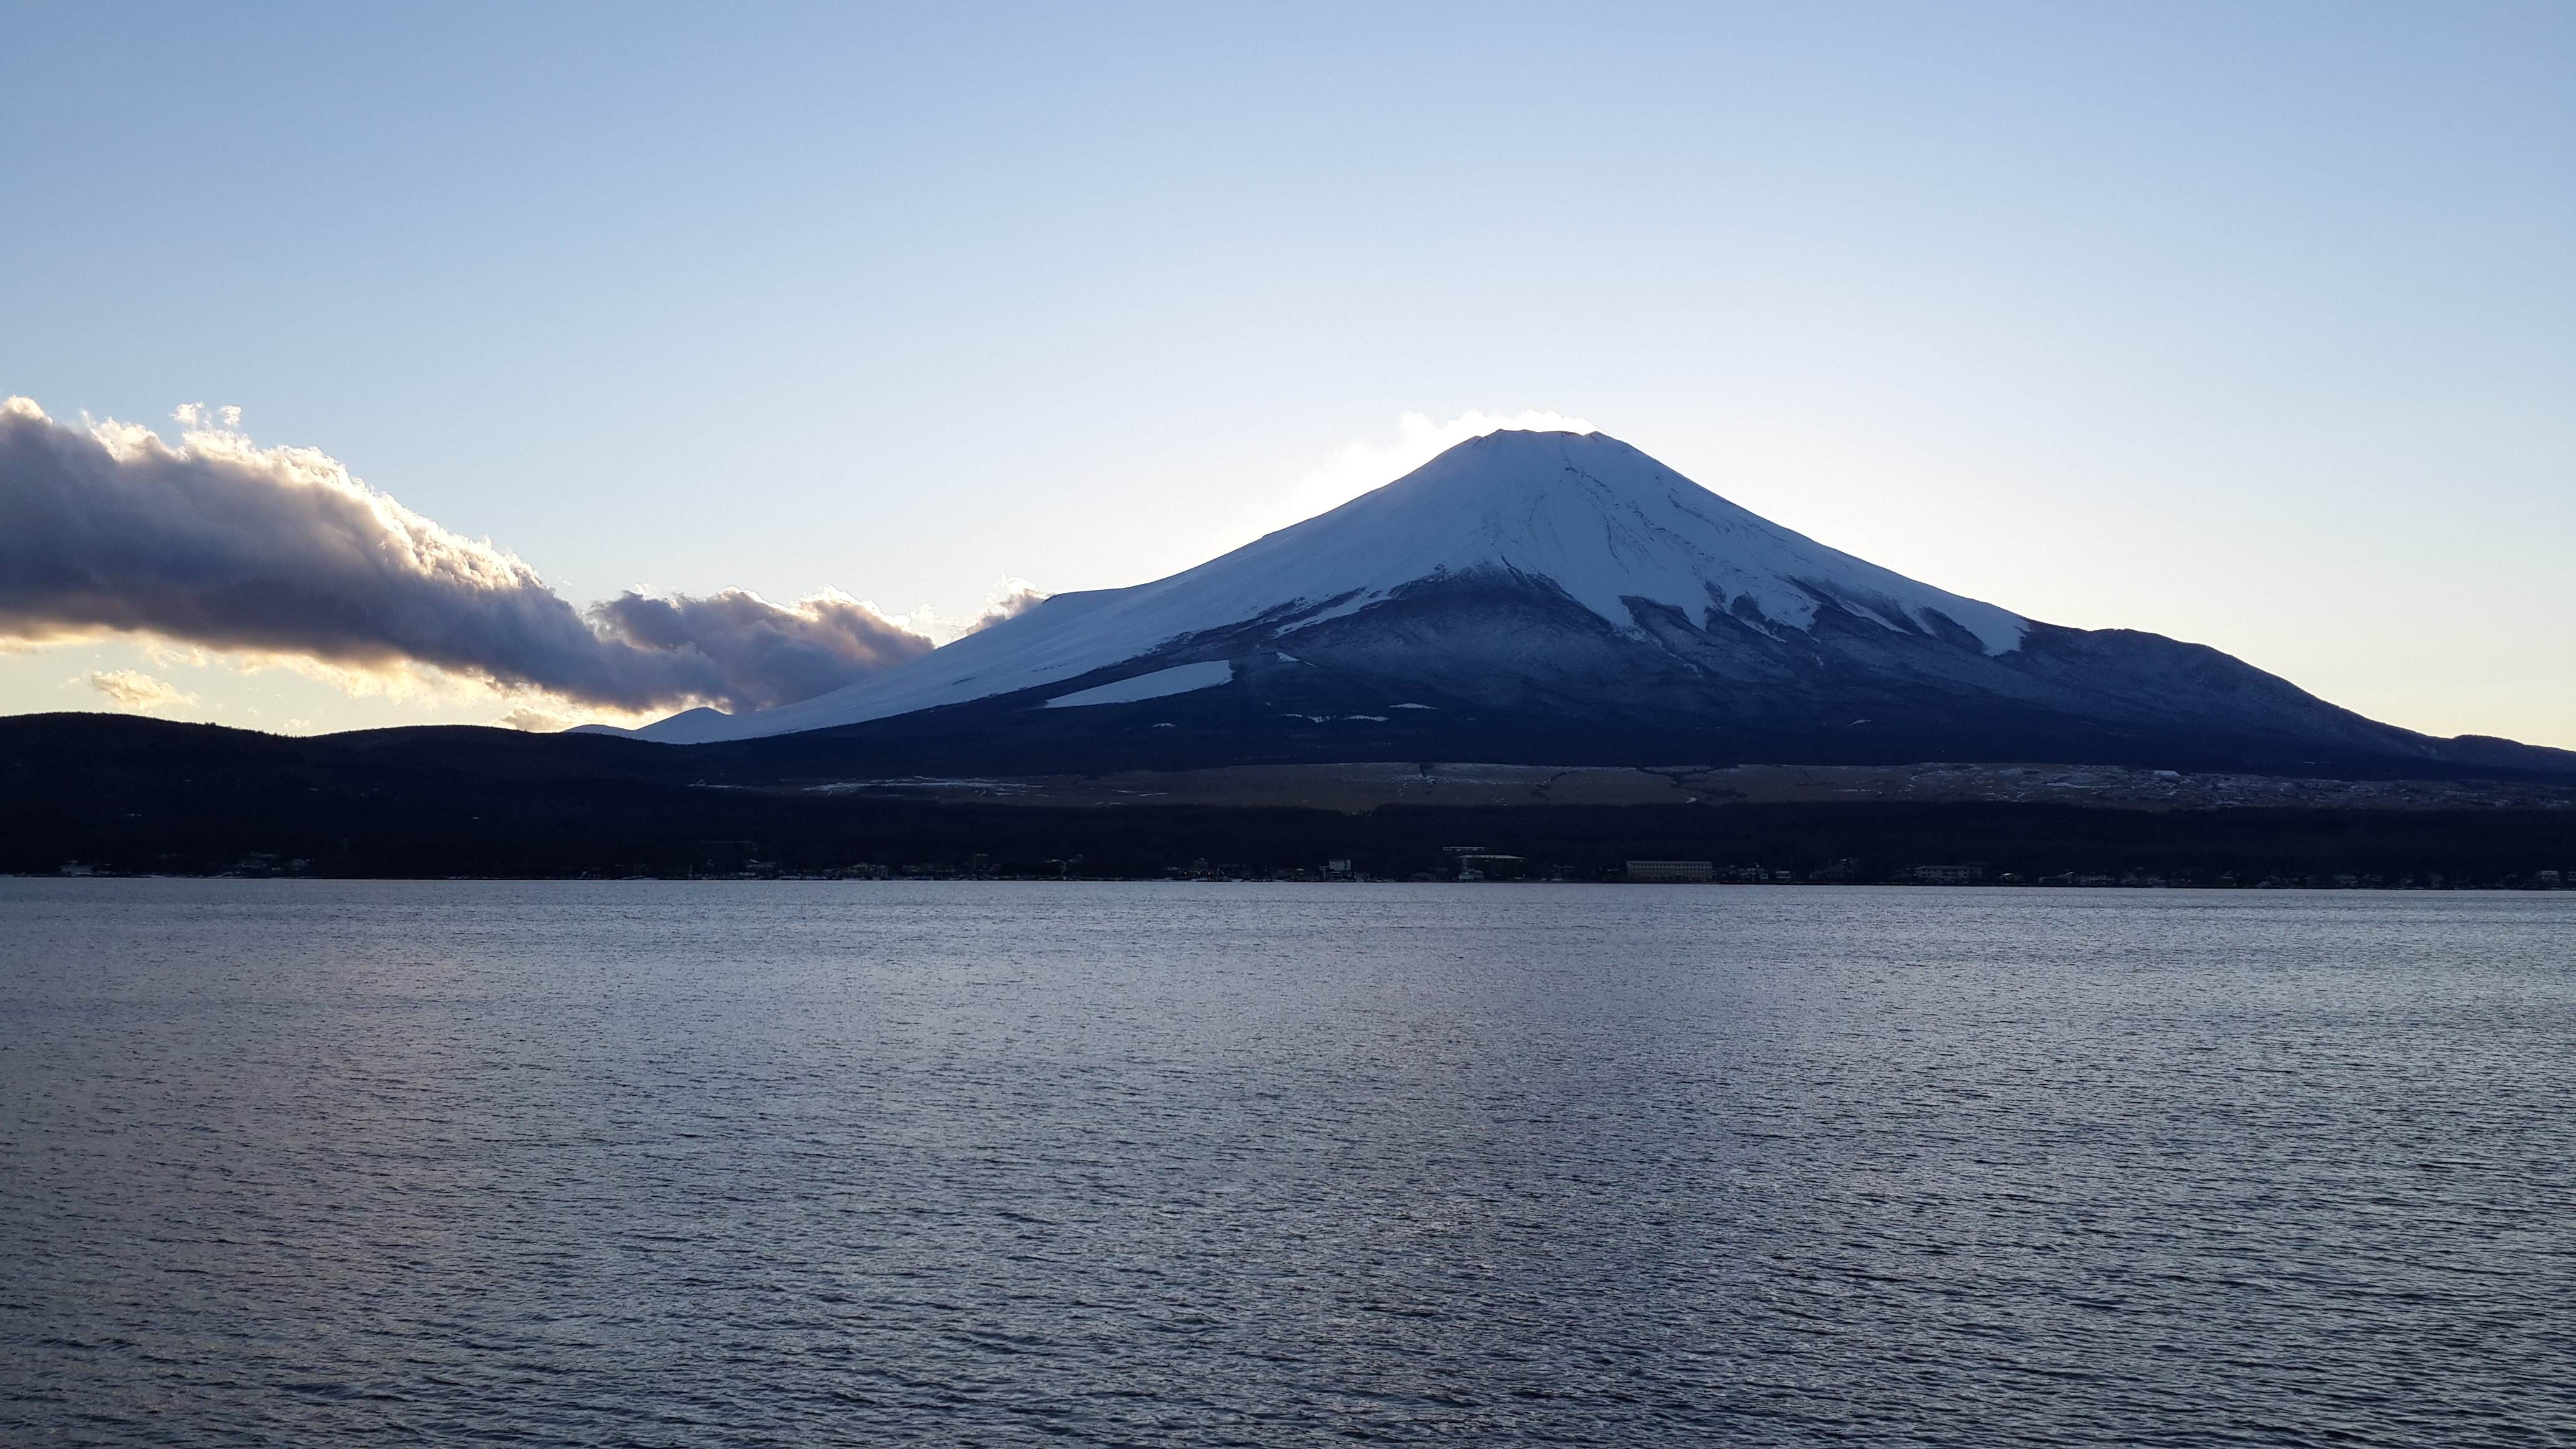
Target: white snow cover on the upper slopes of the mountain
point(1573, 514)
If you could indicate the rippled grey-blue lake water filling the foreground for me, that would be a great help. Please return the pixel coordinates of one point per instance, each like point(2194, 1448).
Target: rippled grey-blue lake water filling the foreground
point(1127, 1164)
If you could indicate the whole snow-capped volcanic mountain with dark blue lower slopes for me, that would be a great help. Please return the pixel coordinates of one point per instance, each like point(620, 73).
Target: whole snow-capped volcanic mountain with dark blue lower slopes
point(1560, 599)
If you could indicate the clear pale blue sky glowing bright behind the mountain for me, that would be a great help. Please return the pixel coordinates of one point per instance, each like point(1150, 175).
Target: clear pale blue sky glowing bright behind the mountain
point(2242, 324)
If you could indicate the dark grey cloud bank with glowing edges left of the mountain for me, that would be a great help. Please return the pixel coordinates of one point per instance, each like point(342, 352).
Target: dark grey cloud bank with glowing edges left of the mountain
point(282, 550)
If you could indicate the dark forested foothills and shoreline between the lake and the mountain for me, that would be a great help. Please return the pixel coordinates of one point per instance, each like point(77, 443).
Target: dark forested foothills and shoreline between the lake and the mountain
point(138, 795)
